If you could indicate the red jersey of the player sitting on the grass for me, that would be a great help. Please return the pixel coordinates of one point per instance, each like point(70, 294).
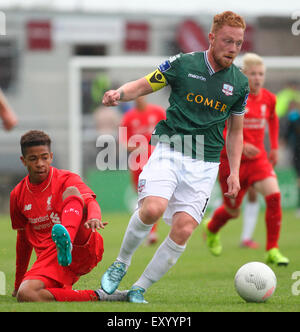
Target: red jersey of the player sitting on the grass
point(36, 208)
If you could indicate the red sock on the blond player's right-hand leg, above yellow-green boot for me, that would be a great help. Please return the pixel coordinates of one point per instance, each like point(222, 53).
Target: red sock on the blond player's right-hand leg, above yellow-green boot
point(273, 220)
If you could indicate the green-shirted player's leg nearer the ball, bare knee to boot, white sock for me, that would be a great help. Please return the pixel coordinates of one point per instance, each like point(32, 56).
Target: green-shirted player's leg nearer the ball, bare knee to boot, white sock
point(166, 255)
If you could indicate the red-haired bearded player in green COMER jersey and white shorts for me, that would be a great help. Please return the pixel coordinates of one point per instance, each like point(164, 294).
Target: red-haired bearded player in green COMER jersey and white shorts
point(176, 183)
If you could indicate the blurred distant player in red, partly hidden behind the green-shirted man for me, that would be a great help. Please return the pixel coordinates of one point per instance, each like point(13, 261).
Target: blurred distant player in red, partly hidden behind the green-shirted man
point(141, 120)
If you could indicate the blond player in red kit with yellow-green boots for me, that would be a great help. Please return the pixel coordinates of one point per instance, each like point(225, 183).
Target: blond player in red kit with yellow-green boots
point(256, 166)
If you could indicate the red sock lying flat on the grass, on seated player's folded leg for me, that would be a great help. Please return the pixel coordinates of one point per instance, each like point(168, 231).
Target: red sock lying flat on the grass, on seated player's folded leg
point(70, 295)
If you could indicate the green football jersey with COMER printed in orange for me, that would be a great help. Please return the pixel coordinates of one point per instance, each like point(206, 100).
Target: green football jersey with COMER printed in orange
point(201, 100)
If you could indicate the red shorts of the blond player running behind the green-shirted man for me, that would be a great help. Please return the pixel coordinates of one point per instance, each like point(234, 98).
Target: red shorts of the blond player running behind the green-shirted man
point(251, 171)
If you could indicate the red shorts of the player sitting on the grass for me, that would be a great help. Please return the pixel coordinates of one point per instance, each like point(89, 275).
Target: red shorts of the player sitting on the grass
point(84, 259)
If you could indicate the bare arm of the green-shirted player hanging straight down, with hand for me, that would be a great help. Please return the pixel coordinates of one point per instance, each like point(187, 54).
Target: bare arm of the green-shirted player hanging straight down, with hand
point(234, 147)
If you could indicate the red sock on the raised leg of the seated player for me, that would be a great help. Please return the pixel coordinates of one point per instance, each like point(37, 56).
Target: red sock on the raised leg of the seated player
point(71, 215)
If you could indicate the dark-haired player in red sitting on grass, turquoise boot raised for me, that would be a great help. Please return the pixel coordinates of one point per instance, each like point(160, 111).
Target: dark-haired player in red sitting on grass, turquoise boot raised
point(54, 205)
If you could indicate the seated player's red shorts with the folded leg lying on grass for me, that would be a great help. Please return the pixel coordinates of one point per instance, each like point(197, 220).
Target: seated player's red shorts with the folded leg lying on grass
point(57, 286)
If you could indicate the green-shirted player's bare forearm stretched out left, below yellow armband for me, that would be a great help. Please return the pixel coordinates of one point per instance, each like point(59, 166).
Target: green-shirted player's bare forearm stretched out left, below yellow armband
point(128, 91)
